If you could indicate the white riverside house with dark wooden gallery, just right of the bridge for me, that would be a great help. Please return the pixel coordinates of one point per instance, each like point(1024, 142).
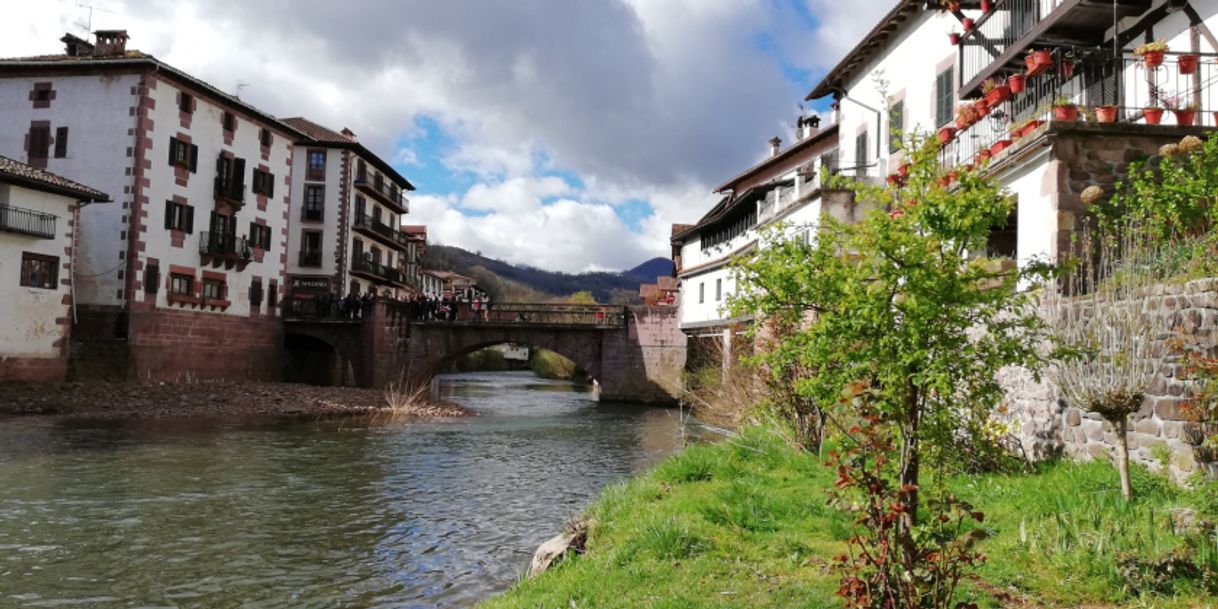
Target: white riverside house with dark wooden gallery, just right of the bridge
point(785, 187)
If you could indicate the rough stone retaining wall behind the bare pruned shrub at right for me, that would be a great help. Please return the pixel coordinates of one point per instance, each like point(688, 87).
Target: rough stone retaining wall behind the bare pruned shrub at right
point(1048, 426)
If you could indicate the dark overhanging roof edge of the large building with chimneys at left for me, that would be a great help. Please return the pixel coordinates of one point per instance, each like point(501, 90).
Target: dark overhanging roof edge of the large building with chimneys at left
point(132, 62)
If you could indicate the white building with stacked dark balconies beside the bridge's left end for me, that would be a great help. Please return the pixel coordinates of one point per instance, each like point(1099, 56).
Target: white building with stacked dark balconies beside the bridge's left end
point(350, 208)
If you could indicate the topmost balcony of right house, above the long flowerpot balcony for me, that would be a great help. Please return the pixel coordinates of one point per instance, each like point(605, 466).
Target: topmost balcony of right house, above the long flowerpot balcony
point(999, 38)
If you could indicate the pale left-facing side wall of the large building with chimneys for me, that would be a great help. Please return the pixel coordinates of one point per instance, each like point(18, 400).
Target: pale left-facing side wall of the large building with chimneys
point(97, 111)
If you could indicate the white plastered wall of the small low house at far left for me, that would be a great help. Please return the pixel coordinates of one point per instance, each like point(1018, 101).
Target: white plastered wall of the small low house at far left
point(29, 327)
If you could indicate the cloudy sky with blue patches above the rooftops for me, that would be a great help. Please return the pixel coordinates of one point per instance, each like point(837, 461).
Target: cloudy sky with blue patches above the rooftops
point(565, 135)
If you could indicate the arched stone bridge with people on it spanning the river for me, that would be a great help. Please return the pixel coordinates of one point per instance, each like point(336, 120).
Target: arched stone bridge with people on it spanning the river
point(635, 354)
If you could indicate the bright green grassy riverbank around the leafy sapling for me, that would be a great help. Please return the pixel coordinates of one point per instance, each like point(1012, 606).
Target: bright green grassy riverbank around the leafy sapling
point(746, 524)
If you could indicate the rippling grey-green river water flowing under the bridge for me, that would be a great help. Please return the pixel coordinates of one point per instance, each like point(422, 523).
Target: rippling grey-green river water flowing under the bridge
point(292, 515)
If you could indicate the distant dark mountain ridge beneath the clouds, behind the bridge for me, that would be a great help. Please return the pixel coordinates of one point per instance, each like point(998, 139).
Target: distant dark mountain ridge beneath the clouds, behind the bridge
point(512, 283)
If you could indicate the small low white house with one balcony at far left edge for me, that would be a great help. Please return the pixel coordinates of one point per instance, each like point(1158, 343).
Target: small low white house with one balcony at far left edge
point(38, 219)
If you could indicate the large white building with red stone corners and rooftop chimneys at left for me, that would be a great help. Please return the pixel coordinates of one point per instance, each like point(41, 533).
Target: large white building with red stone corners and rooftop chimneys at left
point(186, 269)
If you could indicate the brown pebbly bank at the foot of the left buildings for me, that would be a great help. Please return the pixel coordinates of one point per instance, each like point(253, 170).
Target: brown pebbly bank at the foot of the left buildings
point(206, 399)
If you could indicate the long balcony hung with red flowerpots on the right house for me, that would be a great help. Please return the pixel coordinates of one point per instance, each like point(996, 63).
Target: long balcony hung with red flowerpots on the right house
point(1147, 91)
